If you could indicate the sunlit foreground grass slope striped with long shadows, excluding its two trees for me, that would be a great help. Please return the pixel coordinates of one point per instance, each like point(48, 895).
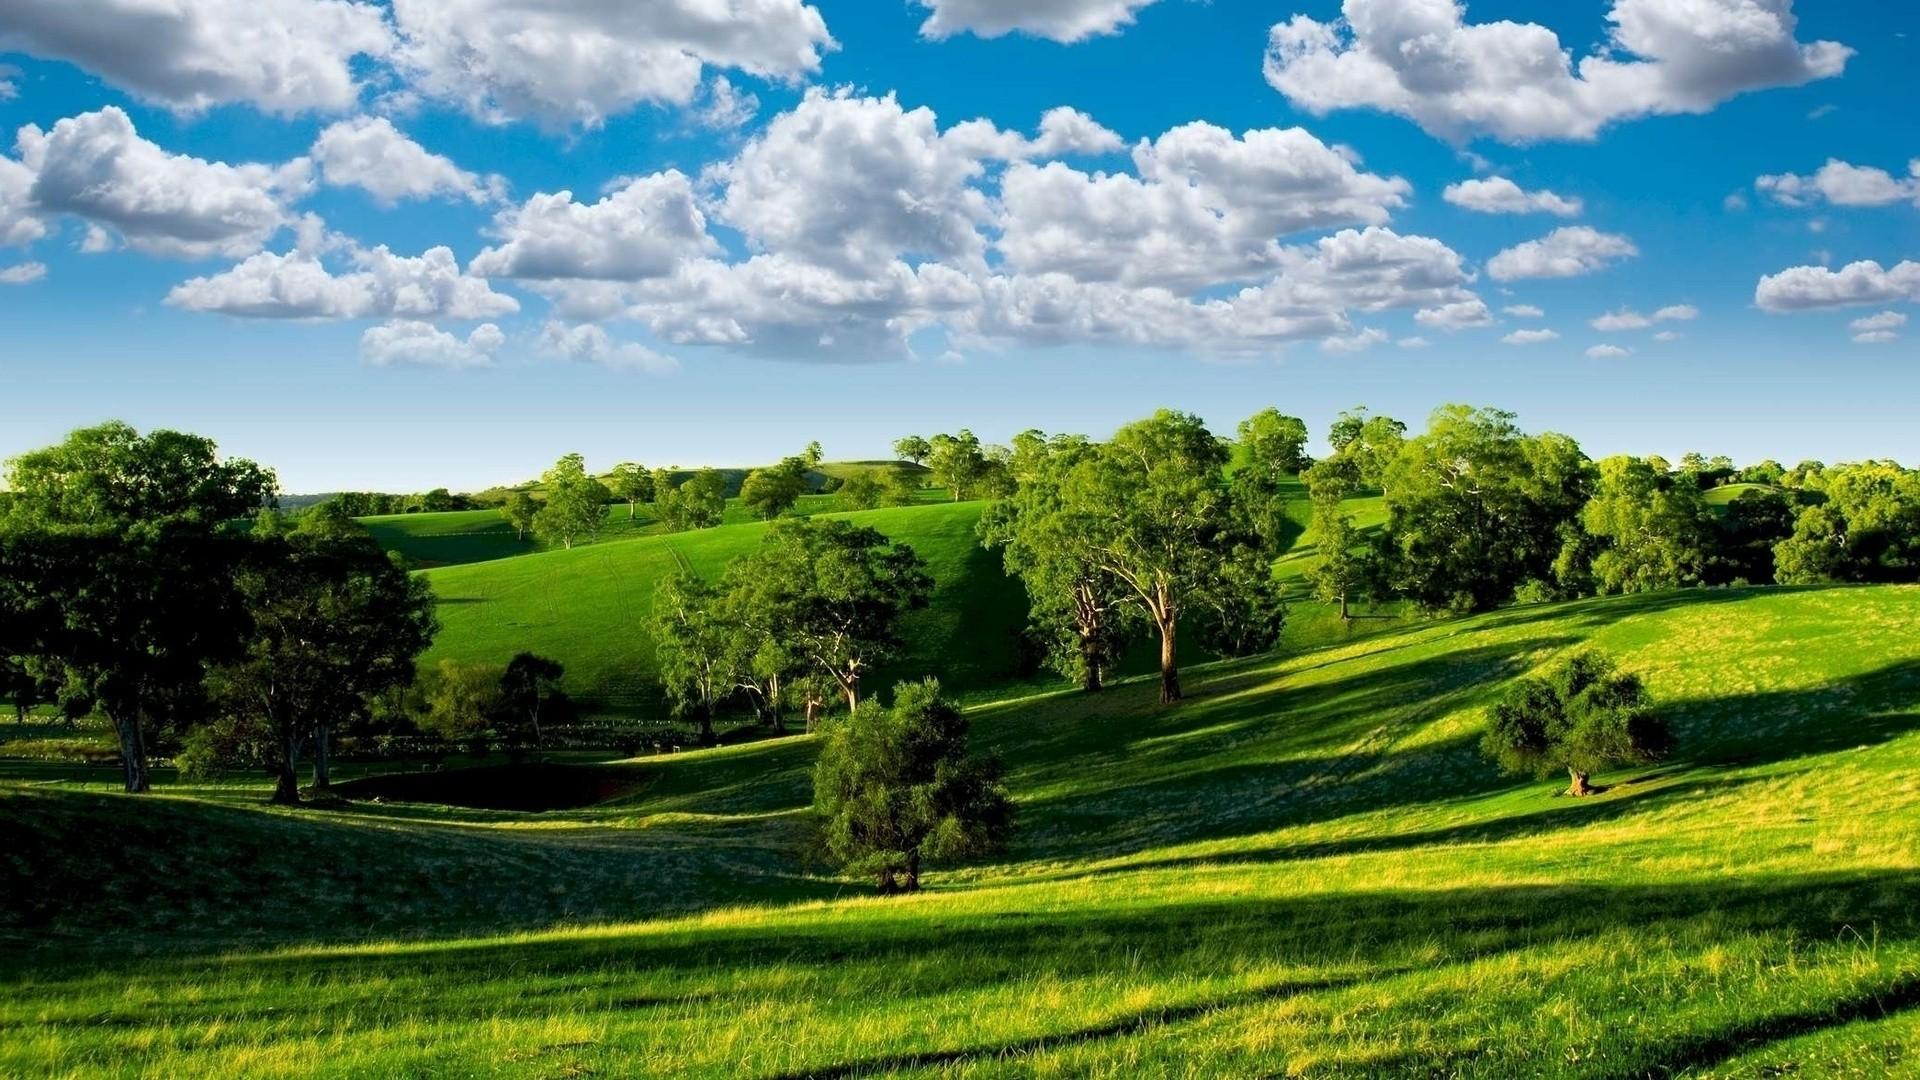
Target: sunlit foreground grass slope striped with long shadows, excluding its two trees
point(1303, 871)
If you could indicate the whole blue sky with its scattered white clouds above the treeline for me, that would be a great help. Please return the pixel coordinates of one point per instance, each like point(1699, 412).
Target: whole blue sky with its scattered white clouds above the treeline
point(769, 241)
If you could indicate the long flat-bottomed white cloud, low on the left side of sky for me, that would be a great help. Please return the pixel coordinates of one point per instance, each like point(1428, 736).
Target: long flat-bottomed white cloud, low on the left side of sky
point(385, 287)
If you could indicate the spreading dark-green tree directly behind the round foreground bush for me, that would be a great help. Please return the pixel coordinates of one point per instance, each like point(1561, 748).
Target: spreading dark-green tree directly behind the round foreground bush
point(834, 593)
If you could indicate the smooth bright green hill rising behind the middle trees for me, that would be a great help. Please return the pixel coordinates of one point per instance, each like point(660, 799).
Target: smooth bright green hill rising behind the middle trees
point(588, 608)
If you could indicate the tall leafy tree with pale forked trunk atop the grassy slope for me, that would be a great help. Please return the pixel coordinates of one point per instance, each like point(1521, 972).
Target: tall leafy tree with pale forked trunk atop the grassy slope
point(1153, 510)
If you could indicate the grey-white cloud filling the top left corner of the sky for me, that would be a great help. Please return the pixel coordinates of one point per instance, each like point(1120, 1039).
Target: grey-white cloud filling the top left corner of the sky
point(283, 57)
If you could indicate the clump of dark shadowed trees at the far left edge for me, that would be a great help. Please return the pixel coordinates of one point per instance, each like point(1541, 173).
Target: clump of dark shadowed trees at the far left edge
point(147, 577)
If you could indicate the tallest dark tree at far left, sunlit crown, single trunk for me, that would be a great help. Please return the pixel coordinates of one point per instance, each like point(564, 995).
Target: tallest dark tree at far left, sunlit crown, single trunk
point(116, 558)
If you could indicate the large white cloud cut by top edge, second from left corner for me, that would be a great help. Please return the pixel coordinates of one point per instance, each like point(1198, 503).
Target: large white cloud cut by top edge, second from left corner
point(579, 62)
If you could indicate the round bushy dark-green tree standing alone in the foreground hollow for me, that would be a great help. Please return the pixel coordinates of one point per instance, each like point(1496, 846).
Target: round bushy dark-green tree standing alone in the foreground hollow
point(896, 789)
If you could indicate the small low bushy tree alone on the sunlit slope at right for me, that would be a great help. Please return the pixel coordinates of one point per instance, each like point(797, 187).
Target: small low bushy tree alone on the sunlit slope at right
point(1583, 716)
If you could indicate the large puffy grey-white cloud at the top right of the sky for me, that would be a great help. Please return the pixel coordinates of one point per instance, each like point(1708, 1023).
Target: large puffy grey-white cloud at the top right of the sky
point(1516, 82)
